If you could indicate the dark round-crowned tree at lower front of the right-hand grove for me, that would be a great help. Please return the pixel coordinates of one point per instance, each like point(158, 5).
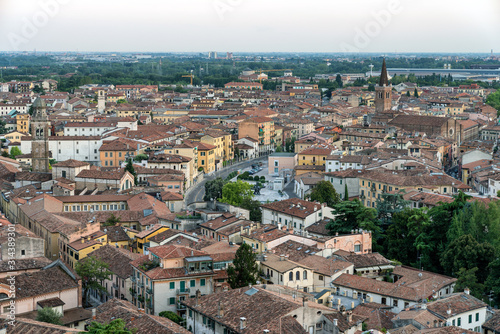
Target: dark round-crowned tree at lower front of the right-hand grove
point(465, 252)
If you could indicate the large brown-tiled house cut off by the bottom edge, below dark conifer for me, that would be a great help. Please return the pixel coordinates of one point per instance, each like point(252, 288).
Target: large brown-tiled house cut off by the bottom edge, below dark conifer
point(241, 311)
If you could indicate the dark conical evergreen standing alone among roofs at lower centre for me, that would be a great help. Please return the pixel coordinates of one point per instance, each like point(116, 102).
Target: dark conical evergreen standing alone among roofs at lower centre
point(244, 269)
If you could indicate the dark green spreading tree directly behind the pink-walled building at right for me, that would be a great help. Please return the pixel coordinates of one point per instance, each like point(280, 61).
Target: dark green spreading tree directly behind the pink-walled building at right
point(352, 215)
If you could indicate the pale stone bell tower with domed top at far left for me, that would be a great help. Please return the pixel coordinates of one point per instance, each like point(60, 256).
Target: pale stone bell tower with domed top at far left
point(40, 132)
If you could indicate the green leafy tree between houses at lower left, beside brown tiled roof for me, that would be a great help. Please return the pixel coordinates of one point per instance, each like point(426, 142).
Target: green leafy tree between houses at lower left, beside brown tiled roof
point(92, 271)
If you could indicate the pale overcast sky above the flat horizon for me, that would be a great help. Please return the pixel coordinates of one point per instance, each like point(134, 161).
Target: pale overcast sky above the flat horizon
point(251, 25)
